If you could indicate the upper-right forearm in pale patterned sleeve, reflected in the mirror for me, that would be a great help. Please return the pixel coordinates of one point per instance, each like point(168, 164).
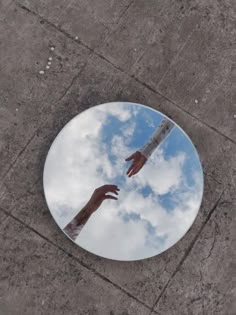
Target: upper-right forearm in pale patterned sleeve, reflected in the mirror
point(159, 135)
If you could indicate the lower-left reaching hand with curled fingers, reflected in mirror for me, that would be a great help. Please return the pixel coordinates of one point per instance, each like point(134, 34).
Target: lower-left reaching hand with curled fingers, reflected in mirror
point(100, 194)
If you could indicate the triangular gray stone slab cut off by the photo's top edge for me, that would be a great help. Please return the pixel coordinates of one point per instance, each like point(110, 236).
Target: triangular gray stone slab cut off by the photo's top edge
point(90, 20)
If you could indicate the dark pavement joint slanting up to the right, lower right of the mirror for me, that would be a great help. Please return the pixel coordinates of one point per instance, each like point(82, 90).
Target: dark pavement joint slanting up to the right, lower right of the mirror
point(190, 247)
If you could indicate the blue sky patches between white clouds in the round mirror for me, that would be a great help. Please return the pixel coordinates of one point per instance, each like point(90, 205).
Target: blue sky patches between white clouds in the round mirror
point(148, 120)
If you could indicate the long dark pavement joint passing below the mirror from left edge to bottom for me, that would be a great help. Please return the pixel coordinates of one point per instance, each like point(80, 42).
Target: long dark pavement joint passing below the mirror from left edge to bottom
point(75, 258)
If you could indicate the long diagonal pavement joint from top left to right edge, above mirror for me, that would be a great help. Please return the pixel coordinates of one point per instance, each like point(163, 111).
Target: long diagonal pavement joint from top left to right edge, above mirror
point(127, 74)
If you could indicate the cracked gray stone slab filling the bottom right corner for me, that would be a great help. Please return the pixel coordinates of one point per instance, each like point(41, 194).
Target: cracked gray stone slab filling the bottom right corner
point(206, 282)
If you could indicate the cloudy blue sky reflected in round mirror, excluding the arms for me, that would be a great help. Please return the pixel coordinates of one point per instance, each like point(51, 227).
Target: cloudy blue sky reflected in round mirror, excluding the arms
point(155, 208)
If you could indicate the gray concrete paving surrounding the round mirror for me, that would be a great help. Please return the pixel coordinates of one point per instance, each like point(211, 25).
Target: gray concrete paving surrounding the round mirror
point(178, 56)
